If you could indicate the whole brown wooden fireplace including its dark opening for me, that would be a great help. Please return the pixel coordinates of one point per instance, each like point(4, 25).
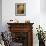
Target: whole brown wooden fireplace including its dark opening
point(22, 33)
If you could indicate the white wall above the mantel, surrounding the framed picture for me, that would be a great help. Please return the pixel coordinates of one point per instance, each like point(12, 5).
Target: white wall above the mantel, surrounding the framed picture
point(32, 11)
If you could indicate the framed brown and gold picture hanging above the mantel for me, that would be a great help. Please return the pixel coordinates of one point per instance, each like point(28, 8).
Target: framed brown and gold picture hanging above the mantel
point(20, 9)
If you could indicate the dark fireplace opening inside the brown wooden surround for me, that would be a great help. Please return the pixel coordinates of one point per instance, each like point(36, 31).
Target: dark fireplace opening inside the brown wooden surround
point(20, 37)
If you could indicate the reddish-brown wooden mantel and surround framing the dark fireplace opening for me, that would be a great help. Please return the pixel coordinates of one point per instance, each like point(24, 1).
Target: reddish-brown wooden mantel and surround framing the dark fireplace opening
point(23, 27)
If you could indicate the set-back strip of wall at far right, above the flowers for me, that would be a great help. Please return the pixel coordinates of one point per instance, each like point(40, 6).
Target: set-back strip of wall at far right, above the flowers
point(43, 14)
